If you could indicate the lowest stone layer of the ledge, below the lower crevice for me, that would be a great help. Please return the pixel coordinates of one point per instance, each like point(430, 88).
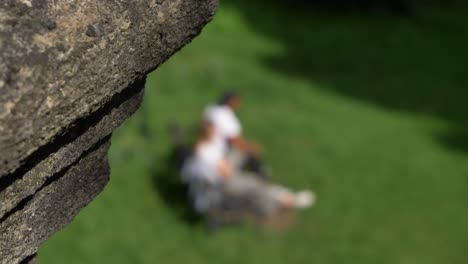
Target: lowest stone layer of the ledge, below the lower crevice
point(74, 187)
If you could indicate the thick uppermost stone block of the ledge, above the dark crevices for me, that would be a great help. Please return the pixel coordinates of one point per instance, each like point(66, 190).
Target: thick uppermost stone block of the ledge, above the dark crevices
point(60, 60)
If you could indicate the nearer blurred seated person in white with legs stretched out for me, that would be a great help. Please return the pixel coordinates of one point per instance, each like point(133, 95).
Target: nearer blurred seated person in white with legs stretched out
point(212, 176)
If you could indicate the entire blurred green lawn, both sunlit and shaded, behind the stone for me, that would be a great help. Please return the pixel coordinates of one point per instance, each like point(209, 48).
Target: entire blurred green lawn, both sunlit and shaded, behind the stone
point(365, 102)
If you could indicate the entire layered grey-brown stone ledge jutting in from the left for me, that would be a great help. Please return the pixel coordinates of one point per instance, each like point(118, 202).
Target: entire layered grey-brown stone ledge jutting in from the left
point(70, 73)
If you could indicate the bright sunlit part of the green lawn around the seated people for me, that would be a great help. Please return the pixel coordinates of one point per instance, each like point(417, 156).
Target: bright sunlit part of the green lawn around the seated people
point(388, 190)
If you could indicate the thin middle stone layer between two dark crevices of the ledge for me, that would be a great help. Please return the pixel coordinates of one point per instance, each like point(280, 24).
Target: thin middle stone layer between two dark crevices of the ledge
point(71, 148)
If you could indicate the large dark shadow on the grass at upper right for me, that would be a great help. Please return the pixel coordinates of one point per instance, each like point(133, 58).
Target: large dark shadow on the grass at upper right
point(408, 63)
